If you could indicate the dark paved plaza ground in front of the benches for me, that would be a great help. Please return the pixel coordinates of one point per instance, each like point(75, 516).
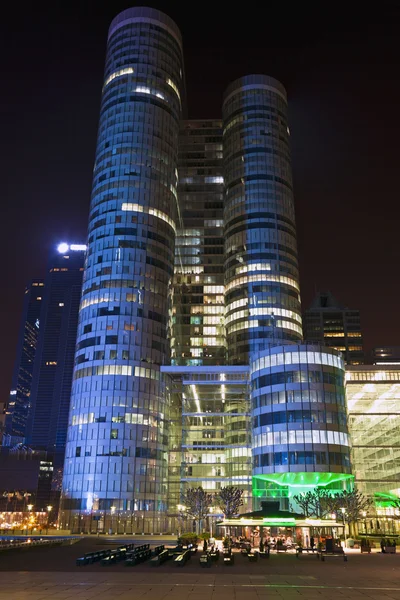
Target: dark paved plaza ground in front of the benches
point(50, 573)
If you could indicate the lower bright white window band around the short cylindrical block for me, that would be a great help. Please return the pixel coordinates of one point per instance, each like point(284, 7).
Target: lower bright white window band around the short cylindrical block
point(306, 436)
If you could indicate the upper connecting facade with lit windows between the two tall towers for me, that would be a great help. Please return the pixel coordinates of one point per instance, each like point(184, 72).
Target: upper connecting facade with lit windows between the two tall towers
point(198, 331)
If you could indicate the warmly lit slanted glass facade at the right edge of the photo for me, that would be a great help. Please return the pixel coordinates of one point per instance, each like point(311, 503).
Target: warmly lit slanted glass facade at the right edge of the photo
point(373, 400)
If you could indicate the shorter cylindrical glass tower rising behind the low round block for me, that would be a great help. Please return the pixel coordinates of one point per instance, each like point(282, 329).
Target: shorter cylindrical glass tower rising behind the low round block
point(262, 299)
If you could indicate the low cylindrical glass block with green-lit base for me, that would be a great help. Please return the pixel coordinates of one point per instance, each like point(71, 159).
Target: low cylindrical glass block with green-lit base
point(300, 433)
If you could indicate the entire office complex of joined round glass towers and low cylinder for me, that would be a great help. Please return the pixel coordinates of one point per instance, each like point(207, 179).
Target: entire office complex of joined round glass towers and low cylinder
point(189, 350)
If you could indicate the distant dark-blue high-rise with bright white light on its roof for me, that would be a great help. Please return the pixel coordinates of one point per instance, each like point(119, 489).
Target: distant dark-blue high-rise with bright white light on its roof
point(54, 361)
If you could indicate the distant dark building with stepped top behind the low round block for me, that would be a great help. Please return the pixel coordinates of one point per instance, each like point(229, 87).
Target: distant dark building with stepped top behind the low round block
point(335, 326)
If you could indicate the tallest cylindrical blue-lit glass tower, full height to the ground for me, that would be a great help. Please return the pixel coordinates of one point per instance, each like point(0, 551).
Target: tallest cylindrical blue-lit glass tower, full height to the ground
point(116, 457)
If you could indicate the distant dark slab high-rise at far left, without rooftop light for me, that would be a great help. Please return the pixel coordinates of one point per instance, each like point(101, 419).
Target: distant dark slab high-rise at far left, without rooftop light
point(18, 407)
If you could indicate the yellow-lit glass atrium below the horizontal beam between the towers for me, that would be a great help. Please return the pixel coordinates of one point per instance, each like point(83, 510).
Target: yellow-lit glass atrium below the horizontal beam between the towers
point(212, 445)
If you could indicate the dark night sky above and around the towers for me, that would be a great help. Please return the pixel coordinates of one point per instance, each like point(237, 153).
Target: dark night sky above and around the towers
point(340, 66)
